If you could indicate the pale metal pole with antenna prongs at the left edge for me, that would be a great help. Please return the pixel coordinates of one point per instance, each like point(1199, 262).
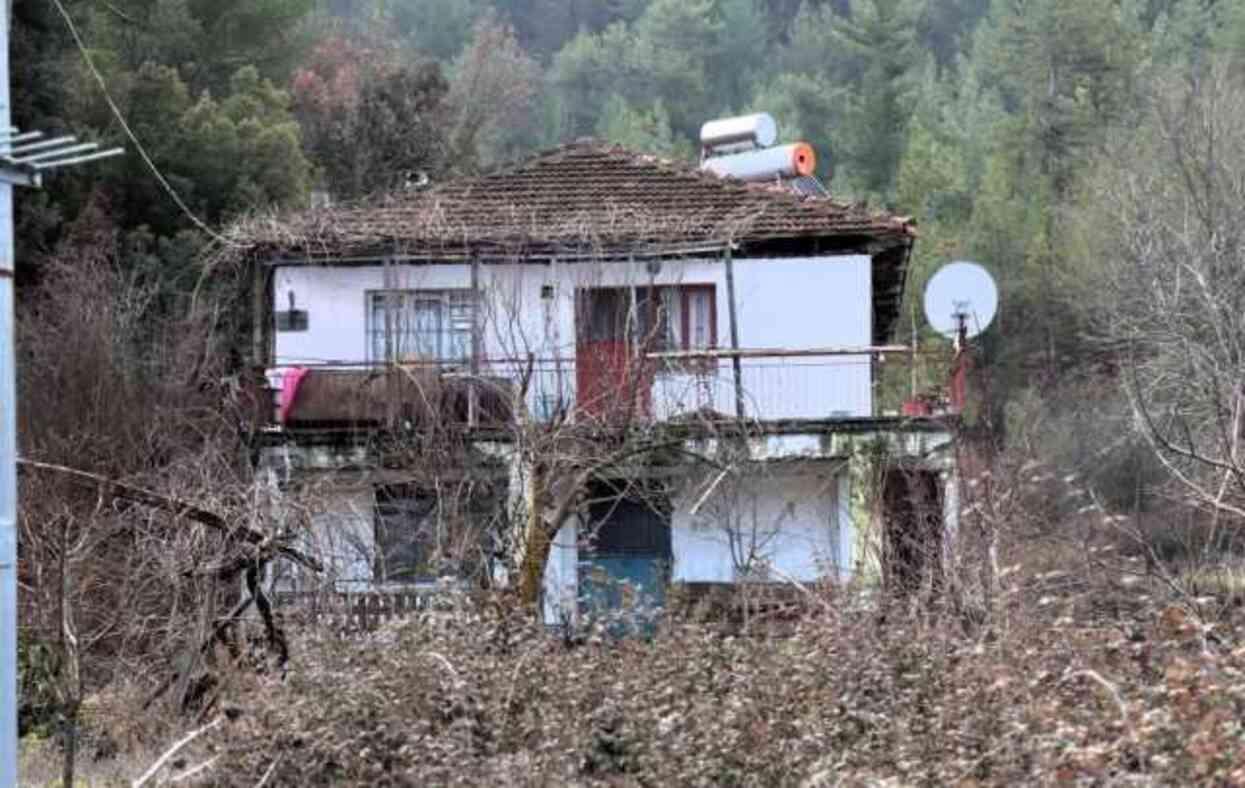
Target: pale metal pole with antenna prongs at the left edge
point(24, 157)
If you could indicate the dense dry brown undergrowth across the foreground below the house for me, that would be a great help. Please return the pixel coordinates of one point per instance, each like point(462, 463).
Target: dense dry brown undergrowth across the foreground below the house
point(848, 694)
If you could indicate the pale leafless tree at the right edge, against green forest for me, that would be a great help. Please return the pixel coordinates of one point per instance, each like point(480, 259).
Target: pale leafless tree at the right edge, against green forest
point(1163, 226)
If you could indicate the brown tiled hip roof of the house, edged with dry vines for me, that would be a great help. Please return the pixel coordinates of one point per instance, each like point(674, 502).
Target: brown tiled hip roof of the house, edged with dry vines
point(587, 196)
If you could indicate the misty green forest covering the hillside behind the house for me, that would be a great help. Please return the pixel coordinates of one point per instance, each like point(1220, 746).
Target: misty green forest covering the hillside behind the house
point(994, 123)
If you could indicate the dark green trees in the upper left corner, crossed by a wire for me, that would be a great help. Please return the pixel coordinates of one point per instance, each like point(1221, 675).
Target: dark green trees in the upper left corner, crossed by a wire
point(197, 83)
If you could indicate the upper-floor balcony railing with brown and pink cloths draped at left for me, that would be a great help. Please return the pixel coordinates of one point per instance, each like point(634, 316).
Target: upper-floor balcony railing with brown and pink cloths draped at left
point(774, 385)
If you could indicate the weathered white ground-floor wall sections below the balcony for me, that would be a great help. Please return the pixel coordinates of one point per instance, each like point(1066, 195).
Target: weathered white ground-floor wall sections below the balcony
point(814, 497)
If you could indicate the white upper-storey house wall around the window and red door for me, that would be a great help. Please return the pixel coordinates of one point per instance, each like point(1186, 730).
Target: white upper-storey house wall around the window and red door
point(789, 303)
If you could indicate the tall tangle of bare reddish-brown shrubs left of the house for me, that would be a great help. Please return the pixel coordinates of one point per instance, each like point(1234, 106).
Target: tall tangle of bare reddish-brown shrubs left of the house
point(120, 385)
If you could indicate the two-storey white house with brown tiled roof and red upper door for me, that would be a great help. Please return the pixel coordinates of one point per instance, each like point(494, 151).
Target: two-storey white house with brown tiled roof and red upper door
point(672, 373)
